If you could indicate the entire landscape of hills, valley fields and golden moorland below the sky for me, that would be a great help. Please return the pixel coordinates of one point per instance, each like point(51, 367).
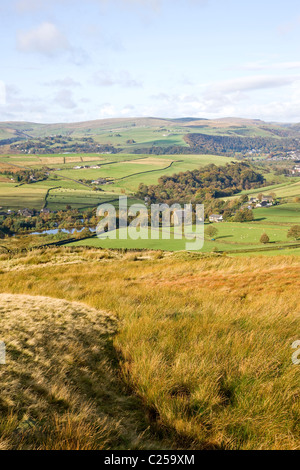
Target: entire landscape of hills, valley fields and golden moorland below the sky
point(138, 344)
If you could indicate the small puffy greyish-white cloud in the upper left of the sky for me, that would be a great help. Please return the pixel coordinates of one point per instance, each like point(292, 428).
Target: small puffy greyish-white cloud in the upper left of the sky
point(45, 39)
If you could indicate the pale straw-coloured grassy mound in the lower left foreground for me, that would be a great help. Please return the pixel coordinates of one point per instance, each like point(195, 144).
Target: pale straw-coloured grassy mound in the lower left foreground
point(59, 388)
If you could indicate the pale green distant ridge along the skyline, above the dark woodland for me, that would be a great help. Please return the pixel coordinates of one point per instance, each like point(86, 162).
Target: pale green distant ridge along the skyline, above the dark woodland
point(144, 132)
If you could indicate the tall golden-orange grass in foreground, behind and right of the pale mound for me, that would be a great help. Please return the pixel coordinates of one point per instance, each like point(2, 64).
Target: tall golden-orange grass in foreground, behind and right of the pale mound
point(205, 342)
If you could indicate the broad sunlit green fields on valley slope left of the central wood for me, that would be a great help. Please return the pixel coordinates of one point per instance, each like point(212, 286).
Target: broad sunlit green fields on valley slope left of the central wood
point(126, 172)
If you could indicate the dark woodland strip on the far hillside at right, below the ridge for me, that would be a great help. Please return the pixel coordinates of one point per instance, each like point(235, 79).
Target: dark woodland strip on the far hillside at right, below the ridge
point(224, 145)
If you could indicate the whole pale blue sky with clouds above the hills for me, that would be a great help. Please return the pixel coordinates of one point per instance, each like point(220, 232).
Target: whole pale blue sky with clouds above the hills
point(70, 60)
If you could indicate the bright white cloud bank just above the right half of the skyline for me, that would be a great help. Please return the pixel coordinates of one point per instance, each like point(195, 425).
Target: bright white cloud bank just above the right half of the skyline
point(231, 98)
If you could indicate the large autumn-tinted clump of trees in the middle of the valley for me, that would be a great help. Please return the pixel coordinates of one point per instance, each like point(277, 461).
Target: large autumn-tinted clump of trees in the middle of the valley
point(207, 183)
